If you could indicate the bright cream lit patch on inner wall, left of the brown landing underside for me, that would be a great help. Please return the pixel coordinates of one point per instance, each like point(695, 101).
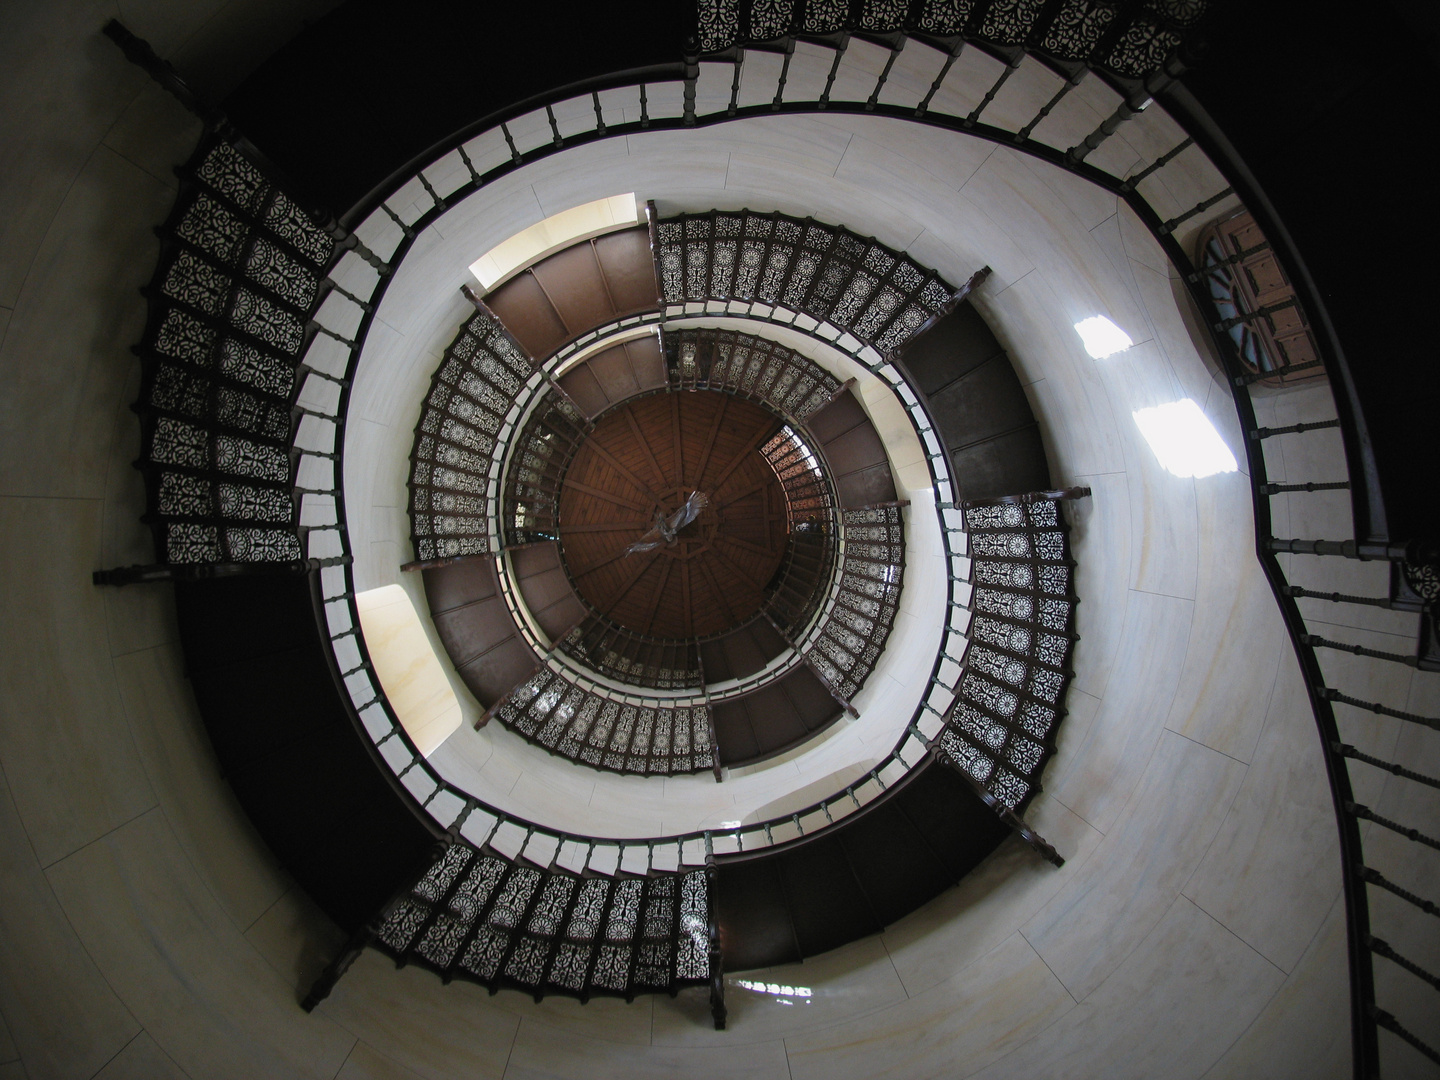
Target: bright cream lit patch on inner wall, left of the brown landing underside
point(408, 669)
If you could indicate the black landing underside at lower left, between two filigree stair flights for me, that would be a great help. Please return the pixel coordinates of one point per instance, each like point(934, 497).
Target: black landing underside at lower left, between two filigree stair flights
point(289, 748)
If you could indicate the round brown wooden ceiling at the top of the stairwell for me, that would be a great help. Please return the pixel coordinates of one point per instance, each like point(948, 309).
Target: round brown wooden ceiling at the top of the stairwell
point(650, 456)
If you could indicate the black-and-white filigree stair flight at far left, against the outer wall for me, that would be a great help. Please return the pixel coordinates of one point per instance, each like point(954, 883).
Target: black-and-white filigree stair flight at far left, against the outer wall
point(241, 271)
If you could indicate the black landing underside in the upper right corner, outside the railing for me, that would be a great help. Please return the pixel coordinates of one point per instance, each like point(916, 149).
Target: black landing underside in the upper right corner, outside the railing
point(1336, 129)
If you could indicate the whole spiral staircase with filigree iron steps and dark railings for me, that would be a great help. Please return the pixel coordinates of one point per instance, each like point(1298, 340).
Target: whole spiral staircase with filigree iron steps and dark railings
point(251, 352)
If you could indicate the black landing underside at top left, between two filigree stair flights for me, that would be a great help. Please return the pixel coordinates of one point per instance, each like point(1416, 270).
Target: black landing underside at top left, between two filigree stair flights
point(375, 83)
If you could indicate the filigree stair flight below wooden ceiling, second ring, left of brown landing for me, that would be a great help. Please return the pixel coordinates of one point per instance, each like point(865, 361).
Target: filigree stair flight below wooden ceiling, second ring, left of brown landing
point(600, 729)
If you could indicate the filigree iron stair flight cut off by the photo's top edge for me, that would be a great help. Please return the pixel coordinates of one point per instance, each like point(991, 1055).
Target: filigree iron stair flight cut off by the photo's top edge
point(1125, 40)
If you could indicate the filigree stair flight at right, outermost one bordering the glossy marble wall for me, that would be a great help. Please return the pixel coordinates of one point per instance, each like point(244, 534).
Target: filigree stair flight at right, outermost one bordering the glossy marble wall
point(1010, 696)
